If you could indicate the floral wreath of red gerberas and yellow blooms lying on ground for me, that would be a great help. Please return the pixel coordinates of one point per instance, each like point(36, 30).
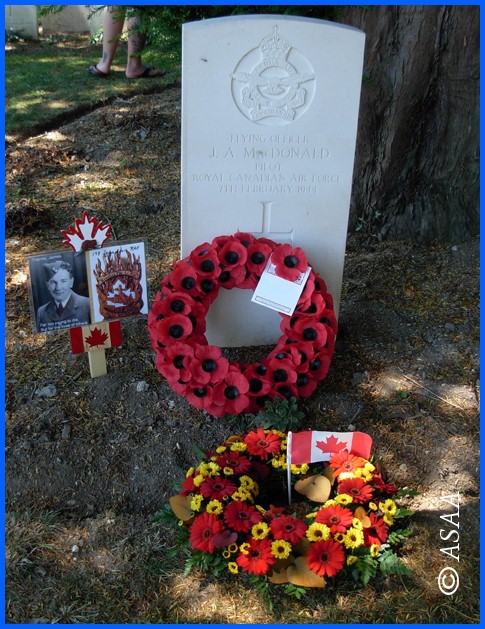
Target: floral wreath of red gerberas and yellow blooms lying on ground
point(344, 523)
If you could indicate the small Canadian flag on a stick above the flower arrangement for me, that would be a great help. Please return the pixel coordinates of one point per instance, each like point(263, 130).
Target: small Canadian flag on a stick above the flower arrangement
point(312, 446)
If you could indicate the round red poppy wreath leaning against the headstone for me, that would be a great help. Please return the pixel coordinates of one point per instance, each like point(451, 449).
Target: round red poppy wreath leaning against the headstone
point(199, 371)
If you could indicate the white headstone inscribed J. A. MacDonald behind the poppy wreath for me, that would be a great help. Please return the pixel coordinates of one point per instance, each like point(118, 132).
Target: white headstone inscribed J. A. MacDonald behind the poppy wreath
point(269, 121)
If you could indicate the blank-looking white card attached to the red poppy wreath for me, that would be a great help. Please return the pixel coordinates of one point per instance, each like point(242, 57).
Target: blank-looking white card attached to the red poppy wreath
point(277, 293)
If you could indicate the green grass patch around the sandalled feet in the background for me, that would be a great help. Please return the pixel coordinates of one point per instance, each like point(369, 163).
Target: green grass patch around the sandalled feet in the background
point(47, 81)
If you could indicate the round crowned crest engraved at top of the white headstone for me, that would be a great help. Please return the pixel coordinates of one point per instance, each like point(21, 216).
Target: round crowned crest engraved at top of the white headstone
point(273, 84)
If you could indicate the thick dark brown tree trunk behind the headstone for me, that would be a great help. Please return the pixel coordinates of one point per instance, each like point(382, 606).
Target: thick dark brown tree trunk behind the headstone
point(417, 159)
